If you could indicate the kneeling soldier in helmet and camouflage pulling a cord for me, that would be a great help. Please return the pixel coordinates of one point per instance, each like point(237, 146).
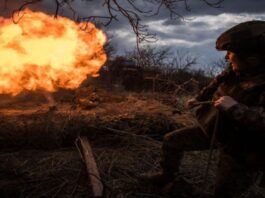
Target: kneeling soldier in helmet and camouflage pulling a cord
point(238, 96)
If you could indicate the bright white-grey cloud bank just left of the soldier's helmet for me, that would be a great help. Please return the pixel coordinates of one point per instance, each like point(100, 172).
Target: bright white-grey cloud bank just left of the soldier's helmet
point(199, 35)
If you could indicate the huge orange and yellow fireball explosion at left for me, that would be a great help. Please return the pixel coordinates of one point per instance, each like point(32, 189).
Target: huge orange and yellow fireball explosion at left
point(43, 53)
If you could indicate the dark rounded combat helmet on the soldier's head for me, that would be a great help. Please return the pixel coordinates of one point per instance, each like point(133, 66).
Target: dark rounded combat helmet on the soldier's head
point(245, 37)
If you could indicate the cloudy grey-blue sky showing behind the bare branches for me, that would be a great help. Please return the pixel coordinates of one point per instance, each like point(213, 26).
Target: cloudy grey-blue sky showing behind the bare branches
point(196, 34)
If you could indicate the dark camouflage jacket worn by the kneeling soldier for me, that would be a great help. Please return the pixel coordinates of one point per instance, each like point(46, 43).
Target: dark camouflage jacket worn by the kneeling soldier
point(242, 127)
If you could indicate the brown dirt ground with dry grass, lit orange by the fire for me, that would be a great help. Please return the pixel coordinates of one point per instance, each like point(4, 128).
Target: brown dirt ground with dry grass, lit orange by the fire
point(39, 157)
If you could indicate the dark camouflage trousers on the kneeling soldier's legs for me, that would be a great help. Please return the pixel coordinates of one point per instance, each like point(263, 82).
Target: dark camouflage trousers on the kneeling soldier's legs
point(232, 177)
